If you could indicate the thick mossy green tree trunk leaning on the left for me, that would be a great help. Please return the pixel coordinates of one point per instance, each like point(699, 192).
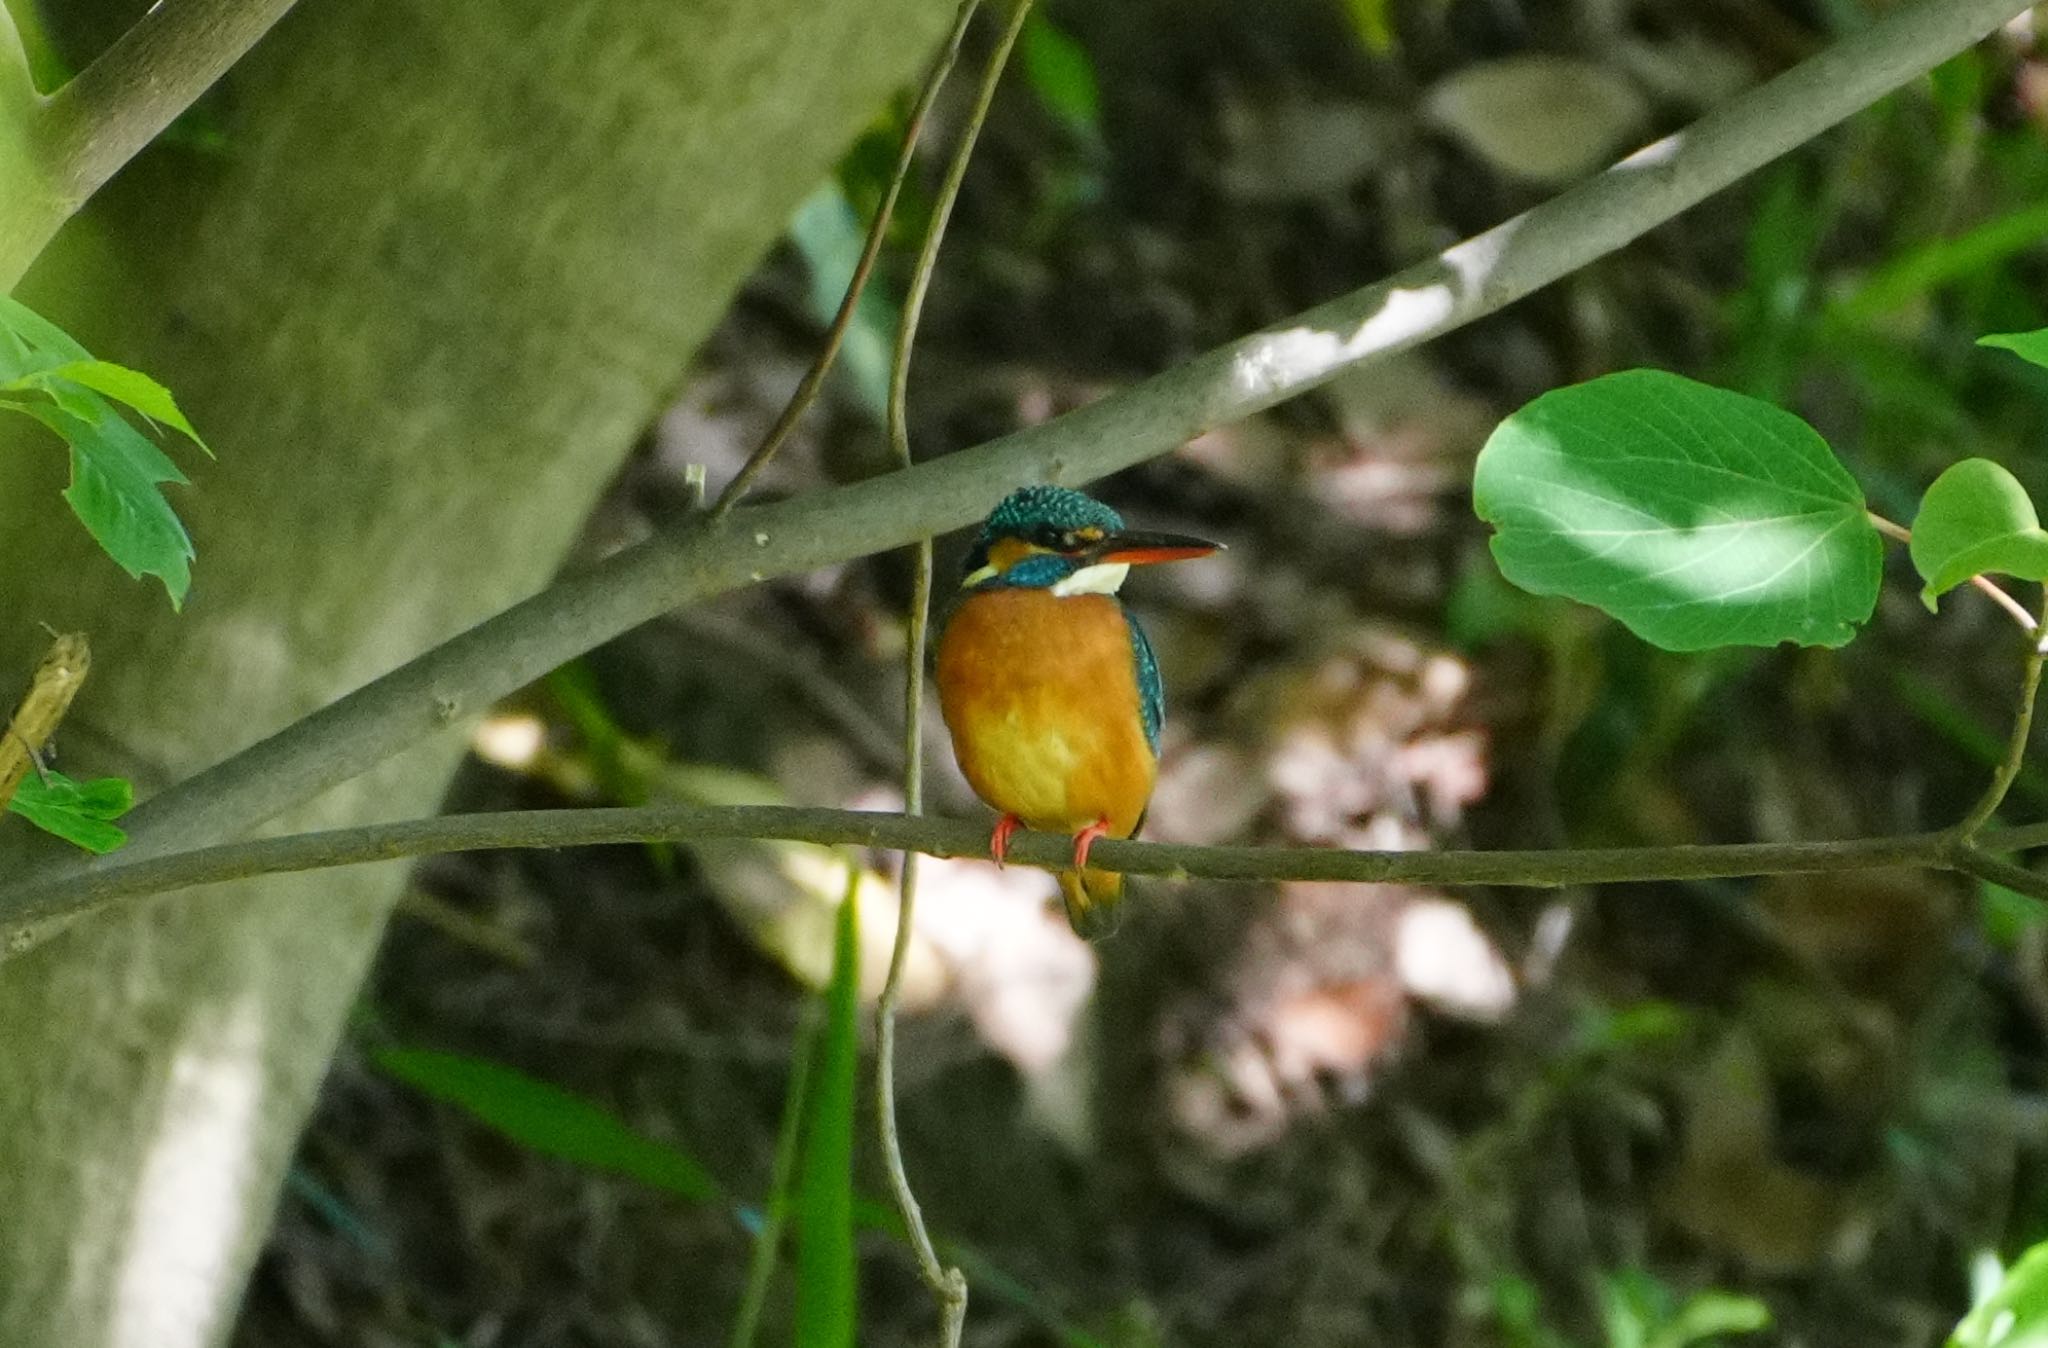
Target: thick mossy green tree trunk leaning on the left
point(445, 269)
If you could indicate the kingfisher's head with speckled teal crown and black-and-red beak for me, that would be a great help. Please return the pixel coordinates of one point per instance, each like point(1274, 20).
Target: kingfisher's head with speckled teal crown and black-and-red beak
point(1068, 544)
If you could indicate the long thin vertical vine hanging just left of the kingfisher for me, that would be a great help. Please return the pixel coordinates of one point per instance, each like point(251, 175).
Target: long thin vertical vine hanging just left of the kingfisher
point(947, 1286)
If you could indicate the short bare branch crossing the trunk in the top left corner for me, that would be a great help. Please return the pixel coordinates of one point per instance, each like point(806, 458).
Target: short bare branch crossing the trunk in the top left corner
point(159, 69)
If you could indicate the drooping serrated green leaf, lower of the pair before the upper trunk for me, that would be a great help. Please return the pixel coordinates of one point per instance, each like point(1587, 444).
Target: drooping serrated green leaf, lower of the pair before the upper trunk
point(116, 474)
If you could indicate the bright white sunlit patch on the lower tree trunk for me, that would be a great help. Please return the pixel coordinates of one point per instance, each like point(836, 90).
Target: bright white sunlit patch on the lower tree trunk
point(179, 1275)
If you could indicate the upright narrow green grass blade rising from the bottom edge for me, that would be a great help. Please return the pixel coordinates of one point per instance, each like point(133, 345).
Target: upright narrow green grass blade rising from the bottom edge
point(826, 1283)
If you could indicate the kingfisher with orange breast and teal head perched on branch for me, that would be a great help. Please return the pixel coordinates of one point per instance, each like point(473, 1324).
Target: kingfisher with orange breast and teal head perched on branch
point(1050, 687)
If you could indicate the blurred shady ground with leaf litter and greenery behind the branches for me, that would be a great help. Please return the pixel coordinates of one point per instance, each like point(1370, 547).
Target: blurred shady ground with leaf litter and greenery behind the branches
point(1644, 1118)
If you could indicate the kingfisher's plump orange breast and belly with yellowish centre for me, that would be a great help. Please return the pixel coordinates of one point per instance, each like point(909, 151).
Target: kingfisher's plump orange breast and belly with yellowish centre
point(1041, 698)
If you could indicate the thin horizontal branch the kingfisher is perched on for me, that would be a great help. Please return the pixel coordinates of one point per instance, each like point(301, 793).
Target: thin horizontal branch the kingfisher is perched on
point(120, 878)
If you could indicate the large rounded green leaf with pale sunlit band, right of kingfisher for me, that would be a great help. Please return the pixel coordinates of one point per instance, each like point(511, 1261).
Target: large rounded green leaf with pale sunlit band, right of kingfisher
point(1695, 515)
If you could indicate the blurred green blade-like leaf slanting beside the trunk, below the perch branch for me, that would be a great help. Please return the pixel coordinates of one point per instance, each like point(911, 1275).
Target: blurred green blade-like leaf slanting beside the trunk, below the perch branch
point(548, 1120)
